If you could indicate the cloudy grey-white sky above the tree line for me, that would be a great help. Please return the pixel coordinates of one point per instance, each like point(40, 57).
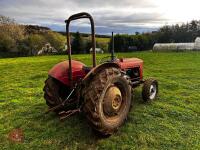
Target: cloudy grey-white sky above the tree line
point(120, 16)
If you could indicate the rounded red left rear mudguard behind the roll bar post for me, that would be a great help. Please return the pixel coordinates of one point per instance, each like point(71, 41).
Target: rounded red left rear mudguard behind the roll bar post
point(60, 71)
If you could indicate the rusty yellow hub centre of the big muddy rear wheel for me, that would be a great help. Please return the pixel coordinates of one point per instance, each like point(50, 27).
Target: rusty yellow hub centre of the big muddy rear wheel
point(112, 100)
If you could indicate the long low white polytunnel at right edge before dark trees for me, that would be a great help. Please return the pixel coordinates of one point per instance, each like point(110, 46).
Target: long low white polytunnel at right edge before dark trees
point(177, 46)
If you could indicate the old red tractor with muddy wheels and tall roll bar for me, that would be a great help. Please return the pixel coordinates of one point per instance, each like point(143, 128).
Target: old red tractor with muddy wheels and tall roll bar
point(102, 92)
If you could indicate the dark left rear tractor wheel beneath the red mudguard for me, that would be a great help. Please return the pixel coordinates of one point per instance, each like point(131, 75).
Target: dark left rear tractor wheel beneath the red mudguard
point(54, 92)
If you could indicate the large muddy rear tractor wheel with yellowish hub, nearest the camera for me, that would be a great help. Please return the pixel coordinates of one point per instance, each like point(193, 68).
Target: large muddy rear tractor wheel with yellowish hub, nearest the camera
point(107, 101)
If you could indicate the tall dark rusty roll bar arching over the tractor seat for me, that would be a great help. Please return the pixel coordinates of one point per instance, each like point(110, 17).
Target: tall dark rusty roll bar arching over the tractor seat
point(75, 17)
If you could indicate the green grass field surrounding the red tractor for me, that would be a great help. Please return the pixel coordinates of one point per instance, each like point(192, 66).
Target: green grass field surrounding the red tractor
point(171, 122)
